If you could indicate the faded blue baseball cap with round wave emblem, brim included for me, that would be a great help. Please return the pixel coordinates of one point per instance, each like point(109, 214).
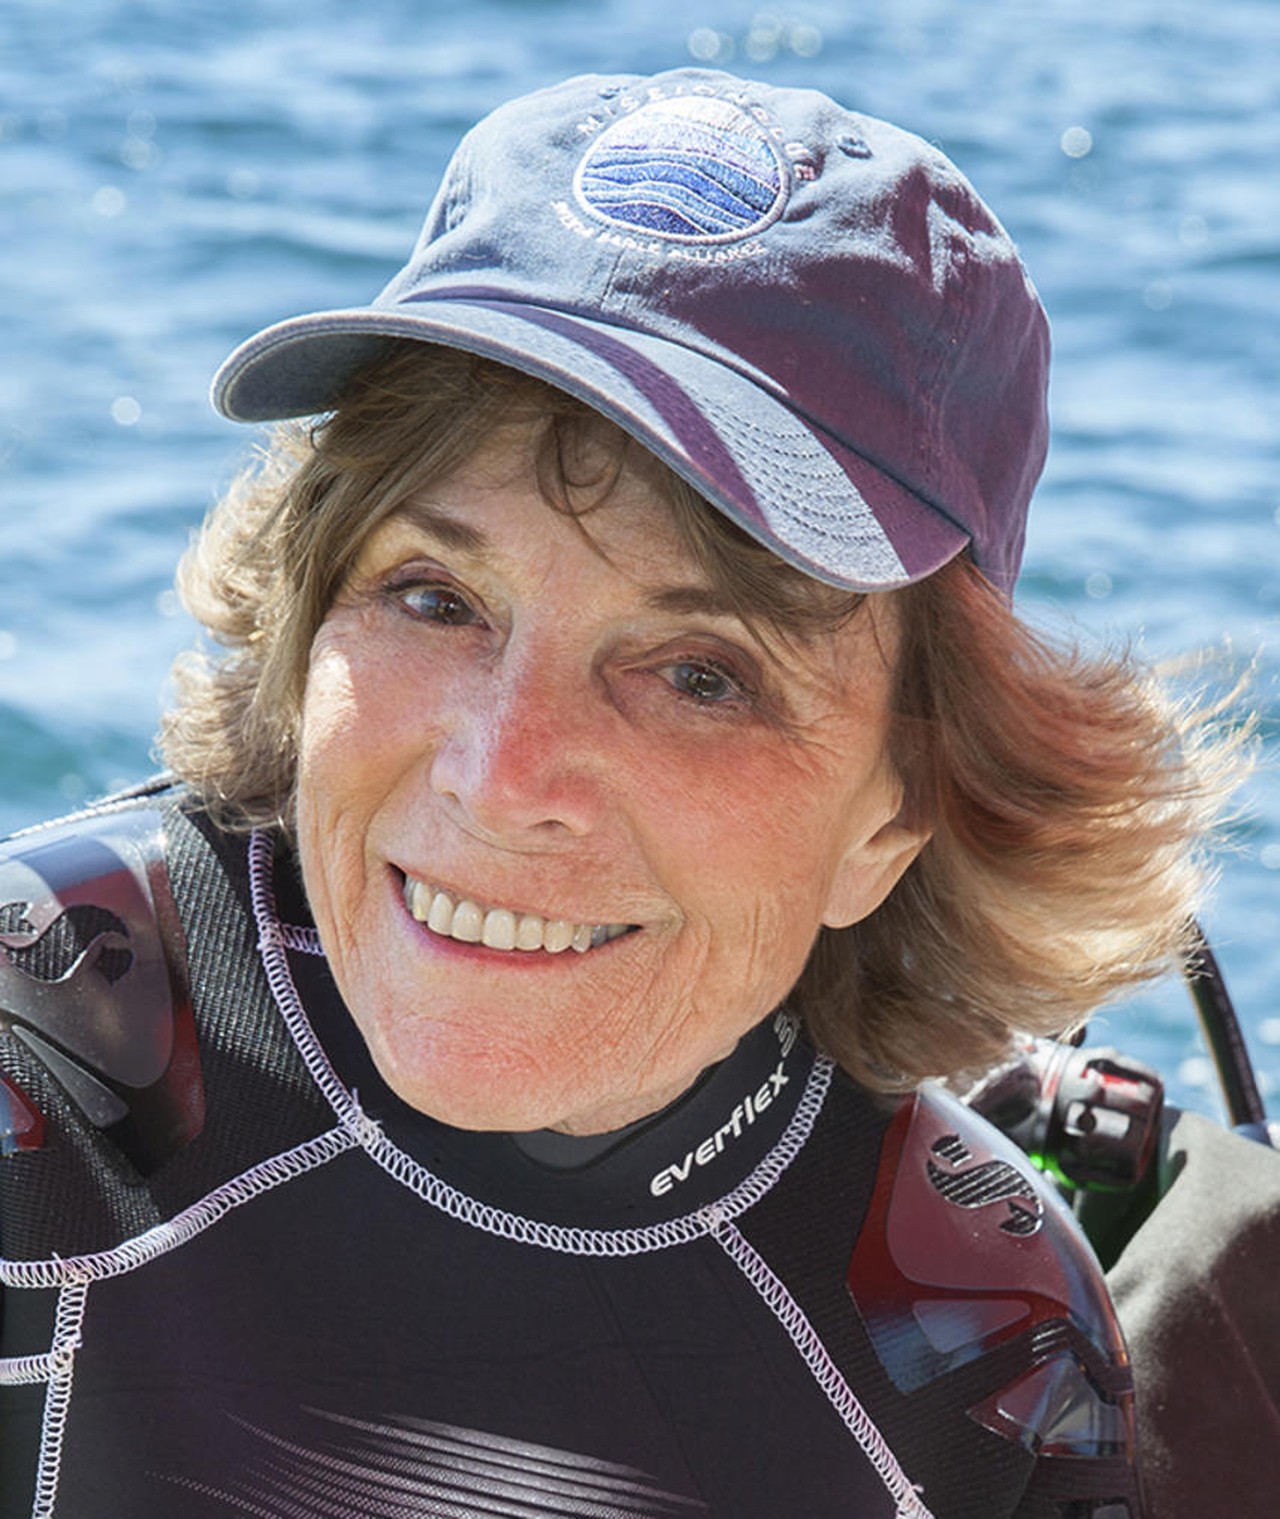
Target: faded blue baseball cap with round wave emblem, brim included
point(809, 314)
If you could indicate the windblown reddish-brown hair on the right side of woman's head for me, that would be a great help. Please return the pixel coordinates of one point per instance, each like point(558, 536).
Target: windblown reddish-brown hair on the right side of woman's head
point(1074, 804)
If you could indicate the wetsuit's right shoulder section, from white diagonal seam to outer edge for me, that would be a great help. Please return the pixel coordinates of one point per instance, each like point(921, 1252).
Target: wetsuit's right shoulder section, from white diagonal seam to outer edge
point(982, 1337)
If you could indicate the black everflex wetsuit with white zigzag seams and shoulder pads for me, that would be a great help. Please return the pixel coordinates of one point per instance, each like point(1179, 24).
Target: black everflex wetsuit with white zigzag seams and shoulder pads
point(242, 1278)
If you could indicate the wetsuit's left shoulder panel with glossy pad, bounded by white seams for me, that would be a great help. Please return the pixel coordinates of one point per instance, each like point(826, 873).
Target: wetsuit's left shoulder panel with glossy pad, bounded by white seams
point(134, 1008)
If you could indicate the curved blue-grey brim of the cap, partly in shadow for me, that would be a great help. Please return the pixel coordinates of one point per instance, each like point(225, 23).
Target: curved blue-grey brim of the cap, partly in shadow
point(815, 502)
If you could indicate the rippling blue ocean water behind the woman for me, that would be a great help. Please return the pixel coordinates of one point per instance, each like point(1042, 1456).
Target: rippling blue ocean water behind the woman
point(174, 177)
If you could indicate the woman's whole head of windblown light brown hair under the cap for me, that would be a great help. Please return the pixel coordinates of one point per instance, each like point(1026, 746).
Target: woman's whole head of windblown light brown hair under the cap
point(1068, 795)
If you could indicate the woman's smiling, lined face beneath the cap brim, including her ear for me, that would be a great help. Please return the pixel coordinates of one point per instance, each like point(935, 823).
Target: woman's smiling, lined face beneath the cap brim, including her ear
point(512, 734)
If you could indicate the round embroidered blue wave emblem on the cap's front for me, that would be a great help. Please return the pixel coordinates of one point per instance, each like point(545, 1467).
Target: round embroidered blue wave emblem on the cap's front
point(693, 169)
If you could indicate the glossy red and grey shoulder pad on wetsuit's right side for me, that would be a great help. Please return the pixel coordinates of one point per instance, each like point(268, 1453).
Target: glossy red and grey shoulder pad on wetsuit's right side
point(971, 1272)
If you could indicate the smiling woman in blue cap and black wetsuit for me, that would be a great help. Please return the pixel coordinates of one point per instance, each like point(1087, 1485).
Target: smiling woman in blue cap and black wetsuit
point(470, 1088)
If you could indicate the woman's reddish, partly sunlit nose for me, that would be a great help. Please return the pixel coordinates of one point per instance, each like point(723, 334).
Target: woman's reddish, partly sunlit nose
point(519, 756)
